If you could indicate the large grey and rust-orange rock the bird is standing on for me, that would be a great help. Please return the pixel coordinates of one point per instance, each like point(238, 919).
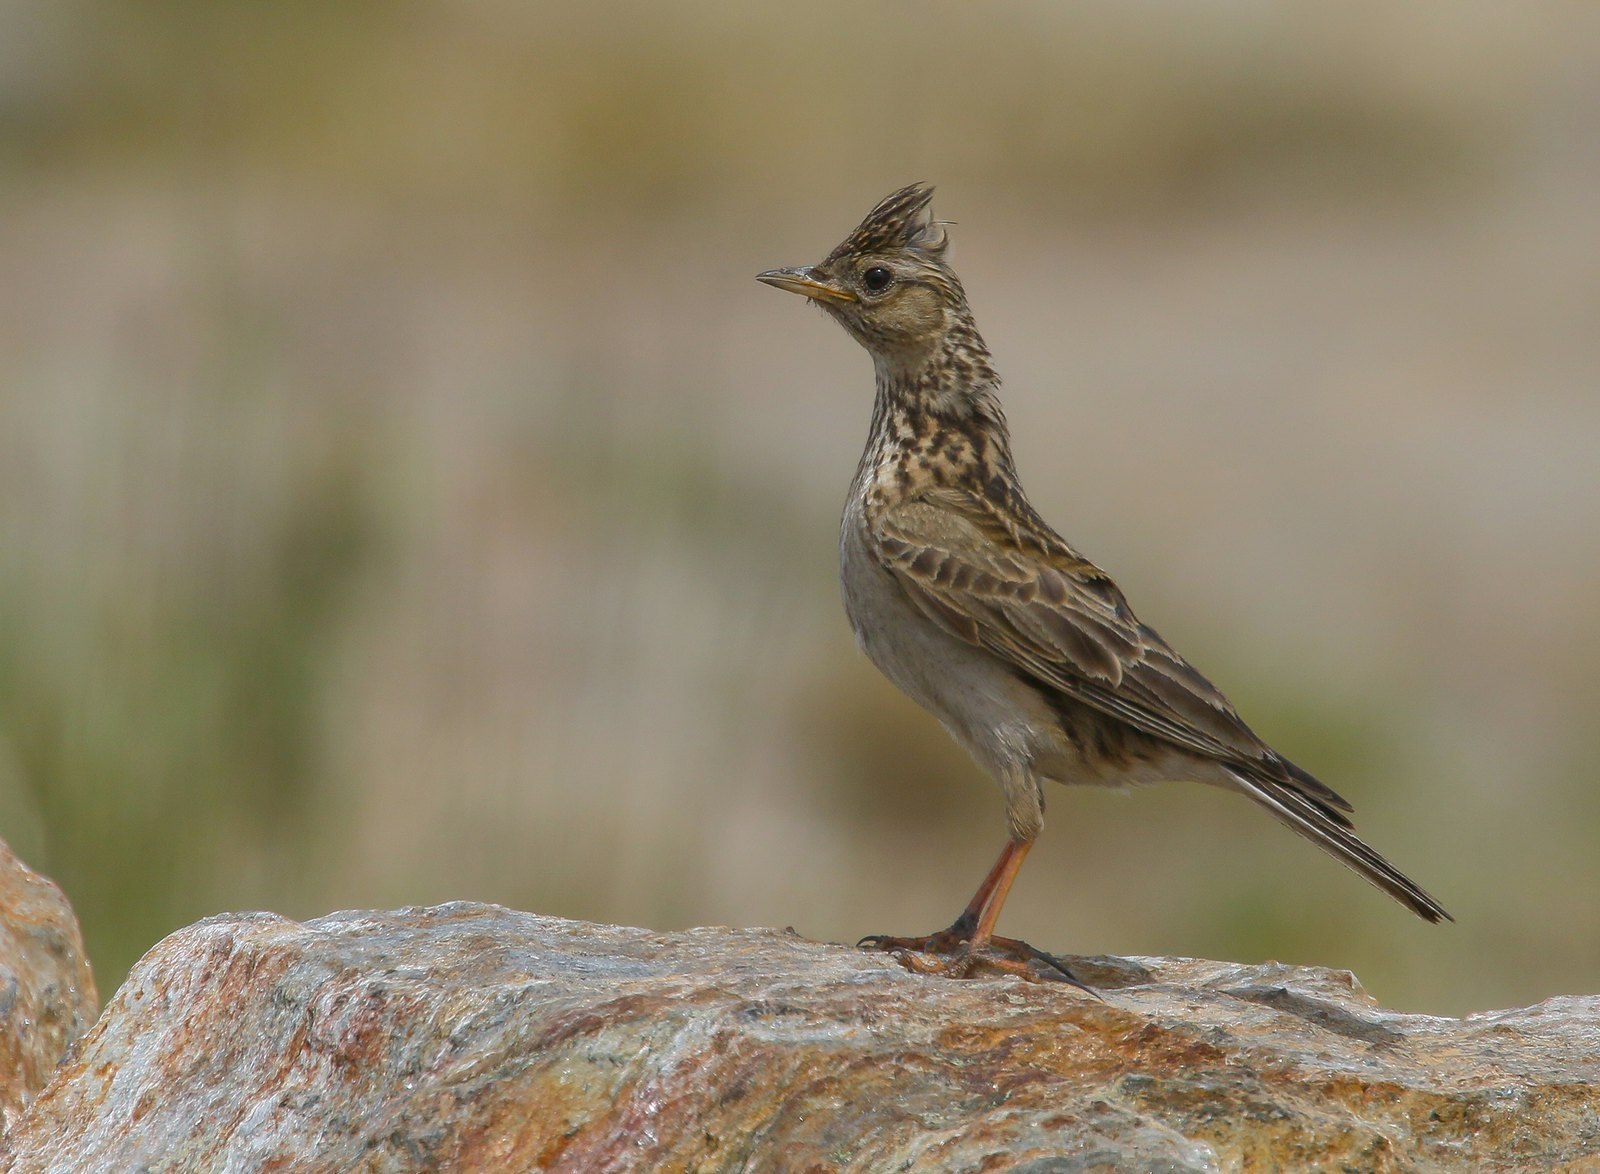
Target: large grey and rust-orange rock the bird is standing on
point(474, 1039)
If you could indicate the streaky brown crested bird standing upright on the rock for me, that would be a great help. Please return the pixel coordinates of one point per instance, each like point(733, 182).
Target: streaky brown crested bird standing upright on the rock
point(972, 605)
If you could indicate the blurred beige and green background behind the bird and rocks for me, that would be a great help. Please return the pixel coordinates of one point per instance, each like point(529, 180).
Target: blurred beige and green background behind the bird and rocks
point(407, 493)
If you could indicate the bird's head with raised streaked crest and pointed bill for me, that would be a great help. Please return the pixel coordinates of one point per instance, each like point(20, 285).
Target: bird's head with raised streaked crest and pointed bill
point(889, 282)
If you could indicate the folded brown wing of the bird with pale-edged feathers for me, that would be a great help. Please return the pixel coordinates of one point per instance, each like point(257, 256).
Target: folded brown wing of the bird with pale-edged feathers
point(1034, 602)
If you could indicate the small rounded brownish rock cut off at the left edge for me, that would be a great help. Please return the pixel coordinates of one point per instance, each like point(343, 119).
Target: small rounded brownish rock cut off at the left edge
point(47, 992)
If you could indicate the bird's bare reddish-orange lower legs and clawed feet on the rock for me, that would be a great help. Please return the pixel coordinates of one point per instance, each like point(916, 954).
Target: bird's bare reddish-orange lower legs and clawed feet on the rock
point(969, 946)
